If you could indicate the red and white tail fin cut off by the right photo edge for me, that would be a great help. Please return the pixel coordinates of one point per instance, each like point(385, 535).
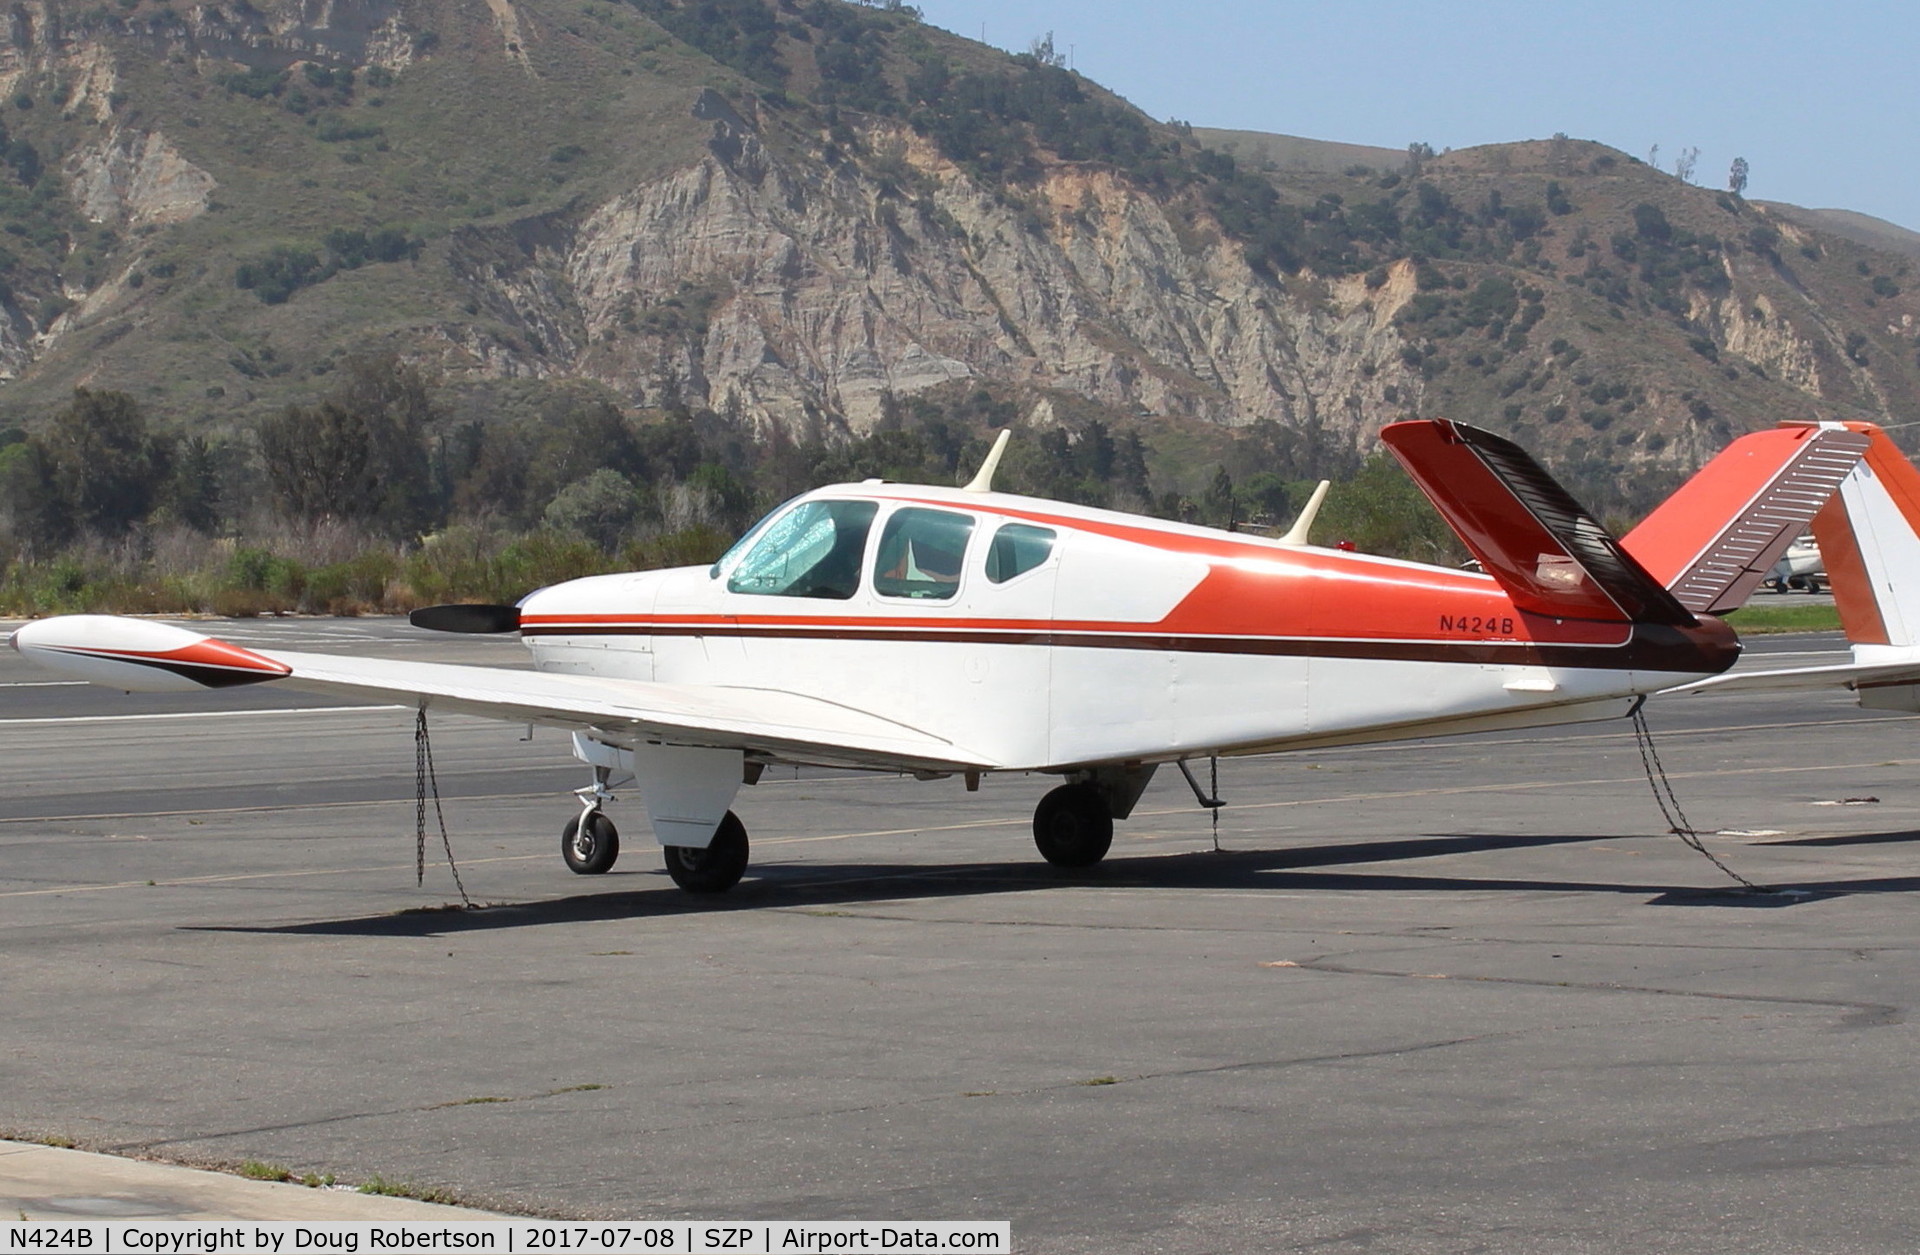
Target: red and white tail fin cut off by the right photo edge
point(1871, 542)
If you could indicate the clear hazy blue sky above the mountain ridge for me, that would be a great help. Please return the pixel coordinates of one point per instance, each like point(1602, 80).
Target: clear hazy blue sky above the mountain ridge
point(1821, 101)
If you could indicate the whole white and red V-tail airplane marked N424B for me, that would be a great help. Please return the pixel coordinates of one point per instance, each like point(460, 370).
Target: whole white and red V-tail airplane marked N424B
point(963, 632)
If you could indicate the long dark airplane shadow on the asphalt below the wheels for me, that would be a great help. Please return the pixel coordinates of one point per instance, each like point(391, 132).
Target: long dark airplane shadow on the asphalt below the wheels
point(1303, 868)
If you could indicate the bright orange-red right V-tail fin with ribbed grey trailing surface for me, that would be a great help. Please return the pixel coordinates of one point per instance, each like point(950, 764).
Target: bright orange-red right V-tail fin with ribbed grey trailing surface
point(1719, 534)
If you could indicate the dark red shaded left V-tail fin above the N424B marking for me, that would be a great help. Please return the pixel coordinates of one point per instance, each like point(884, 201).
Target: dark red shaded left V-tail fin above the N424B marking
point(1545, 548)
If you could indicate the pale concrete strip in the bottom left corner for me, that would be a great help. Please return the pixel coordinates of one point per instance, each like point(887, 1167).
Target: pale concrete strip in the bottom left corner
point(45, 1183)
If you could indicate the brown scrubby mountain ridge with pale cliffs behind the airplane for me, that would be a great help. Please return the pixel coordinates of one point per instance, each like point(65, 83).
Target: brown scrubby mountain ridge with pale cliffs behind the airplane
point(251, 195)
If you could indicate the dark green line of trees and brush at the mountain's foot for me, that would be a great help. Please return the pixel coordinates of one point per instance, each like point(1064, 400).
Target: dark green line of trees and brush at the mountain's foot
point(385, 494)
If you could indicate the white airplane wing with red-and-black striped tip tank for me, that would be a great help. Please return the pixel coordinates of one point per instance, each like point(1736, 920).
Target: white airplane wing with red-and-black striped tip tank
point(158, 657)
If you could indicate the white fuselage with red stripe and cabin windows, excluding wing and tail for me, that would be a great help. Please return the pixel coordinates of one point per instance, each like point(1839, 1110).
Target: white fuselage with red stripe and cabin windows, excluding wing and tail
point(1095, 638)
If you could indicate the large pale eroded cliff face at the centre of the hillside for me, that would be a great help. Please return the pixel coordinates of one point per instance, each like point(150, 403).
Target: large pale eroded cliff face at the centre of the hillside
point(819, 293)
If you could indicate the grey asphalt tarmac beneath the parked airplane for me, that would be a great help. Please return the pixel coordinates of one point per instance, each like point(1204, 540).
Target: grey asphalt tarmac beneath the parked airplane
point(1439, 997)
